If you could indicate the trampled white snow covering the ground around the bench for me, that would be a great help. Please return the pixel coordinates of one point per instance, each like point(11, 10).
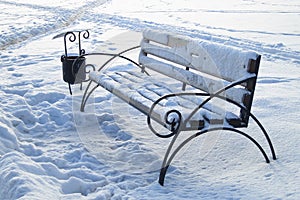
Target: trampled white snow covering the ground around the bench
point(49, 150)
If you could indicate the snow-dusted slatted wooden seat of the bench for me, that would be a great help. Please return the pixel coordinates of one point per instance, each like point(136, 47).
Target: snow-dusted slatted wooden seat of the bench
point(141, 91)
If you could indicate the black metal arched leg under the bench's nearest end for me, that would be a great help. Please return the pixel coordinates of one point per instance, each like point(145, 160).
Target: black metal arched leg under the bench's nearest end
point(169, 160)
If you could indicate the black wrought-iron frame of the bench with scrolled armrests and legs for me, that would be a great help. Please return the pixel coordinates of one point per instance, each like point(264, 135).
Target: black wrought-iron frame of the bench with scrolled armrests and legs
point(180, 125)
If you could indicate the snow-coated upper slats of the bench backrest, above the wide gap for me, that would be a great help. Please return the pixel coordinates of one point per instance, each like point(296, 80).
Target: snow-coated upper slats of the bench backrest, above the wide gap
point(221, 61)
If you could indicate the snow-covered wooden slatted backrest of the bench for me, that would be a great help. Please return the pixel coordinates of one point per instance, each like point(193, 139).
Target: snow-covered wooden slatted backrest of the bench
point(202, 64)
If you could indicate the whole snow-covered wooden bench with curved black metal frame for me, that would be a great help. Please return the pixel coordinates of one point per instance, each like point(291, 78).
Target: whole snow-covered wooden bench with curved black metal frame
point(216, 89)
